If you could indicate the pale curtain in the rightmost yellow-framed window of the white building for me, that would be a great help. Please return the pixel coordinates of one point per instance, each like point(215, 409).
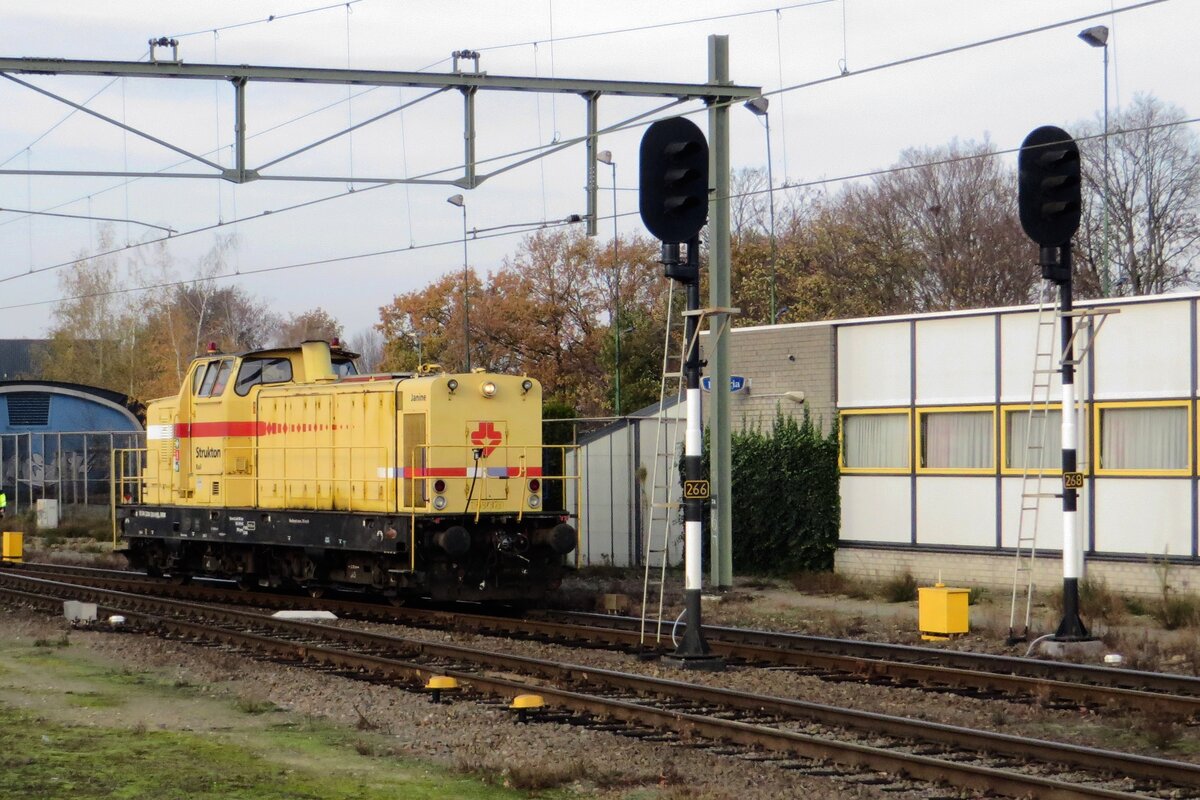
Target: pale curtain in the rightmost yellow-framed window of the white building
point(1144, 438)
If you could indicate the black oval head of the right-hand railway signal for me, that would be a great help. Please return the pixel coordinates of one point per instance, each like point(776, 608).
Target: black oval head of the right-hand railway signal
point(1049, 187)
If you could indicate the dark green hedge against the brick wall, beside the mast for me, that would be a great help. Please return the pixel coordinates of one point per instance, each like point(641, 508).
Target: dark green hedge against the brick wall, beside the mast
point(787, 506)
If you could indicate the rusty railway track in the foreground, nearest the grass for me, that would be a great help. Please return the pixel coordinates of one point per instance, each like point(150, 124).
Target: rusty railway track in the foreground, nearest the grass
point(789, 733)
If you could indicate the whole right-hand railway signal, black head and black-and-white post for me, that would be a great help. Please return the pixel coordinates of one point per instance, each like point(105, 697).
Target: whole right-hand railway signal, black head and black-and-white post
point(1051, 207)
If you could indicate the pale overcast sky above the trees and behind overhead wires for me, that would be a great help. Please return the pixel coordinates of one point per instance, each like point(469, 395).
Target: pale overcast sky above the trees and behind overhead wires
point(351, 252)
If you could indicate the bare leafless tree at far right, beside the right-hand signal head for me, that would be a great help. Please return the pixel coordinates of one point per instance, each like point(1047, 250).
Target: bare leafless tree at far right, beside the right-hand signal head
point(1153, 188)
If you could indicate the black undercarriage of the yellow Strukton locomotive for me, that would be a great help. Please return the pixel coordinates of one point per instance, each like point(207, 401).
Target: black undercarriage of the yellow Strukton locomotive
point(499, 558)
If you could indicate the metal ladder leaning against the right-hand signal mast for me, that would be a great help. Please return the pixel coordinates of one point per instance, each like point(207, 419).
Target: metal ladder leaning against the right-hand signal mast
point(1034, 464)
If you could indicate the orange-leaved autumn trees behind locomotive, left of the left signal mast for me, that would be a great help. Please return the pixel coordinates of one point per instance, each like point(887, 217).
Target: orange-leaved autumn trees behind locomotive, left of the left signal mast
point(547, 312)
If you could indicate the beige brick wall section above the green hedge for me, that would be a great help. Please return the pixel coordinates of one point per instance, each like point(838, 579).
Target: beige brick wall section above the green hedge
point(778, 360)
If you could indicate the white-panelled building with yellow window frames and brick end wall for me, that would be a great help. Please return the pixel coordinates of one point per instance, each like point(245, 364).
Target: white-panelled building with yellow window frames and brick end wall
point(933, 412)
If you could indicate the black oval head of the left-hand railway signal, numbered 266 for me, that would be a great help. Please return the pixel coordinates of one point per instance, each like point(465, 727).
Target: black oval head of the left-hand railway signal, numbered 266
point(674, 181)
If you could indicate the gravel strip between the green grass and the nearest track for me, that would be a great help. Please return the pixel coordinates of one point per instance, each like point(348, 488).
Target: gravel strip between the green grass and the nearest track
point(463, 735)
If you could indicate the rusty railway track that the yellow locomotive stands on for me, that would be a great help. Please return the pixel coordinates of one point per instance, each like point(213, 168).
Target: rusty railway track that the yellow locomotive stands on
point(1047, 683)
